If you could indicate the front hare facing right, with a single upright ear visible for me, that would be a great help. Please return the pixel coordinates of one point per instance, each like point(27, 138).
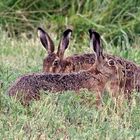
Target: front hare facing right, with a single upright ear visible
point(104, 70)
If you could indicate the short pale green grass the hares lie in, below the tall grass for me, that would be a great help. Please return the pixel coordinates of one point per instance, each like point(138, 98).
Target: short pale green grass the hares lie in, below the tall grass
point(67, 115)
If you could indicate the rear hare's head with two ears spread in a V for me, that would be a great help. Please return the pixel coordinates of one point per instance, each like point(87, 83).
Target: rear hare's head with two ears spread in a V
point(54, 60)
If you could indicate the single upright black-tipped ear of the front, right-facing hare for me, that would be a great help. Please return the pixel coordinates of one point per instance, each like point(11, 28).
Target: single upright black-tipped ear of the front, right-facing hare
point(95, 43)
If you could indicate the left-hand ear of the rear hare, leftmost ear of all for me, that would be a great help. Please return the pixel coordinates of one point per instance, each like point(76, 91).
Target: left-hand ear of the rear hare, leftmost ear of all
point(46, 40)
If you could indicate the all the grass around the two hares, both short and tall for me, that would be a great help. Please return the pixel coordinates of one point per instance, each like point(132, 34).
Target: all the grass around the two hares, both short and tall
point(67, 115)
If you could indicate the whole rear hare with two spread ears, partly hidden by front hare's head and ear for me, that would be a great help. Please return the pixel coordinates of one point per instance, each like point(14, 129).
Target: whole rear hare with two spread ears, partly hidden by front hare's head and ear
point(56, 63)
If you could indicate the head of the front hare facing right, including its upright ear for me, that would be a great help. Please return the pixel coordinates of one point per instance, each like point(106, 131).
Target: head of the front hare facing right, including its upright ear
point(107, 66)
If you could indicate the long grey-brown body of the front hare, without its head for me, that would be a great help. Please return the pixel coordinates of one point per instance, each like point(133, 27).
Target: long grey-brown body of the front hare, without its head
point(28, 87)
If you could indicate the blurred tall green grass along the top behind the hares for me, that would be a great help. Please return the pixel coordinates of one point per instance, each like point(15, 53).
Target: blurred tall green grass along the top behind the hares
point(114, 18)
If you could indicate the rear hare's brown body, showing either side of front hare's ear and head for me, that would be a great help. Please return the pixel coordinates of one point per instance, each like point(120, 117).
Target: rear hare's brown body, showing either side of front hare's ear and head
point(126, 84)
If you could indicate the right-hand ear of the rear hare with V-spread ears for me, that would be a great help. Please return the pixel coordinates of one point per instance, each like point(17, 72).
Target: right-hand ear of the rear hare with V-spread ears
point(64, 42)
